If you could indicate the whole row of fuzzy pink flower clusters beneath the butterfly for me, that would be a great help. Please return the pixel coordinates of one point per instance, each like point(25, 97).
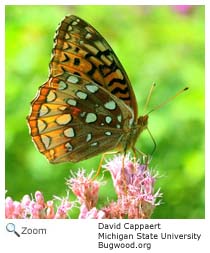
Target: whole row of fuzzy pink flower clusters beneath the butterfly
point(133, 182)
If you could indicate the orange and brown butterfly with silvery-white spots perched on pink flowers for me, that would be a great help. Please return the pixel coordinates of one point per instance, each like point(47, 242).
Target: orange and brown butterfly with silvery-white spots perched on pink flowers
point(87, 106)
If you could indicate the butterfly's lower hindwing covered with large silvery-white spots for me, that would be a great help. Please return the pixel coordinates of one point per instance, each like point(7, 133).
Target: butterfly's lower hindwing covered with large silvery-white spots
point(73, 119)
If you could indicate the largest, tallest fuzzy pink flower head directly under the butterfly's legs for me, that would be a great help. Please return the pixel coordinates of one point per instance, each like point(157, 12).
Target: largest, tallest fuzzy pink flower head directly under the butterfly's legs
point(134, 185)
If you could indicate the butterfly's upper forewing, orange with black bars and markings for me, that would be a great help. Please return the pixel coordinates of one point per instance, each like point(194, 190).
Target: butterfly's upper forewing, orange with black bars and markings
point(79, 49)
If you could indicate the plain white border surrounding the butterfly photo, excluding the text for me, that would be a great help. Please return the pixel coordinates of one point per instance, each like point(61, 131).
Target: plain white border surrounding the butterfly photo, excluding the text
point(81, 235)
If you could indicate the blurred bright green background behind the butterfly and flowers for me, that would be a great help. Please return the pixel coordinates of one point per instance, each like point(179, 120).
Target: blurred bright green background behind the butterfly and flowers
point(162, 44)
